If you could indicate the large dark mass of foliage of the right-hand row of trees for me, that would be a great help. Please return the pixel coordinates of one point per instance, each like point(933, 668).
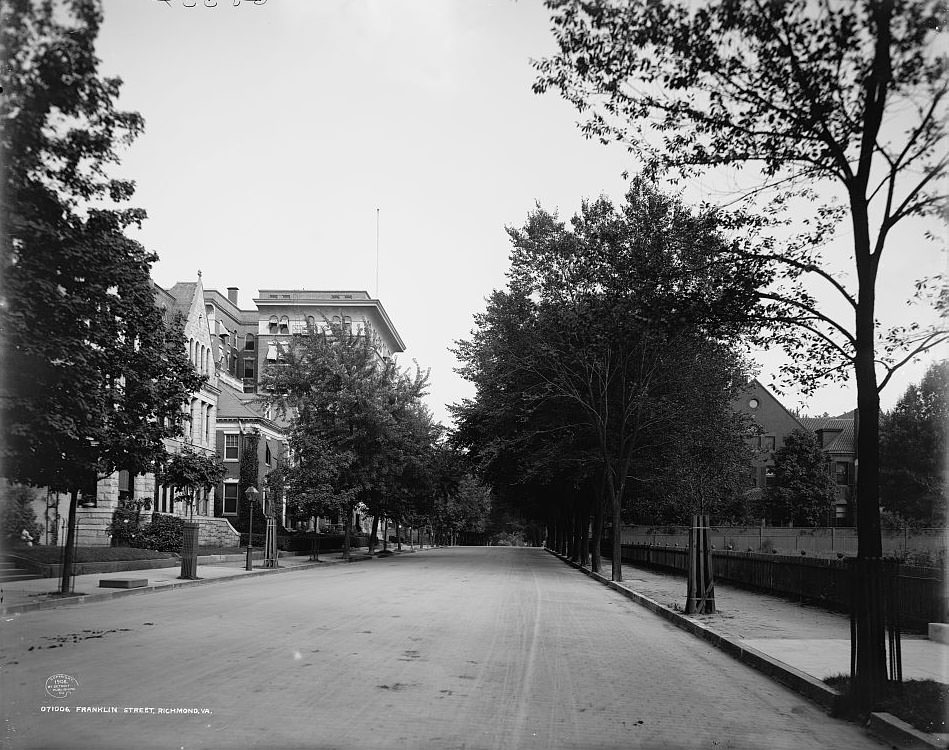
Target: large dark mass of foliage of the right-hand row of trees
point(605, 340)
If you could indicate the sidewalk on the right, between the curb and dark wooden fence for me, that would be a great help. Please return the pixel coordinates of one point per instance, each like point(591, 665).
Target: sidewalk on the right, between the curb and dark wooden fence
point(796, 643)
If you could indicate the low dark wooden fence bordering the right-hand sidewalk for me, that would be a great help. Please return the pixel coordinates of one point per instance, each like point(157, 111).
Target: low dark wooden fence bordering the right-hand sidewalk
point(921, 591)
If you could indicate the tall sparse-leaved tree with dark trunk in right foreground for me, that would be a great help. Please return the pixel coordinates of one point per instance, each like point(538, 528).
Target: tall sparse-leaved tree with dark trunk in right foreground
point(848, 97)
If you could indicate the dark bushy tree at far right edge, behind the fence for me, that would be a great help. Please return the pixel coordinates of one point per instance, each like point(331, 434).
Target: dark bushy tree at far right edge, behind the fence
point(913, 448)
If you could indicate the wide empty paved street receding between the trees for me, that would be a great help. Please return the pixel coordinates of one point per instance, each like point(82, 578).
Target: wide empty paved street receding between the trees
point(450, 648)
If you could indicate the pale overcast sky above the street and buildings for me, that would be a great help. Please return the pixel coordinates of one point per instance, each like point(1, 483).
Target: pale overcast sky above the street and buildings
point(275, 132)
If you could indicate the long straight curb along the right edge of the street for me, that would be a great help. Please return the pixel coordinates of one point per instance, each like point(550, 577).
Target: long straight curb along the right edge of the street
point(883, 726)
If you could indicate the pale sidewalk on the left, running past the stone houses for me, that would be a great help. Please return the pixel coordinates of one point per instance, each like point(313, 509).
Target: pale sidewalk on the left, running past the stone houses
point(42, 593)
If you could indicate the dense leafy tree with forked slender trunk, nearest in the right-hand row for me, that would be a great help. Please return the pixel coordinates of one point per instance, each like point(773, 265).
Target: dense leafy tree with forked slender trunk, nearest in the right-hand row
point(610, 310)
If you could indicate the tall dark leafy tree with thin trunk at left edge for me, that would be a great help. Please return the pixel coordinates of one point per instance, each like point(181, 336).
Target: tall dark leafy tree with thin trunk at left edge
point(94, 375)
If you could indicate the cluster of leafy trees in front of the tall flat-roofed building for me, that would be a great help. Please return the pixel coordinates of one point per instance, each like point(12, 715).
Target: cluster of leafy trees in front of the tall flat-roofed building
point(360, 436)
